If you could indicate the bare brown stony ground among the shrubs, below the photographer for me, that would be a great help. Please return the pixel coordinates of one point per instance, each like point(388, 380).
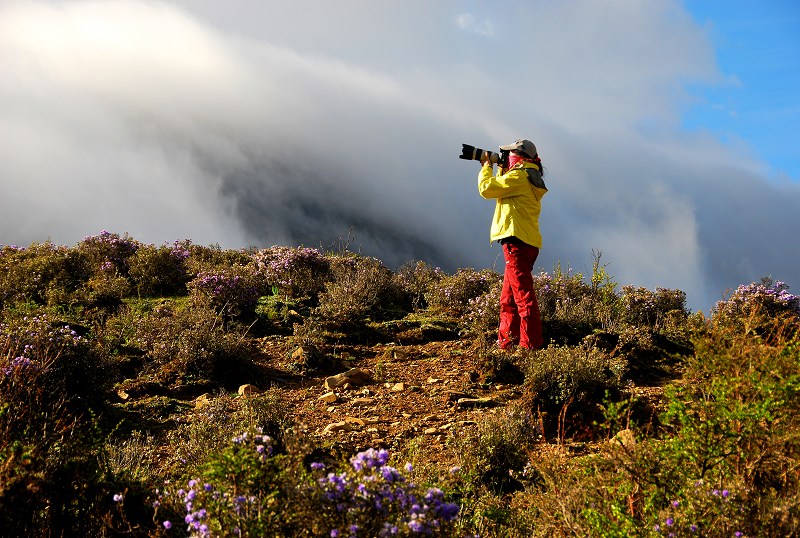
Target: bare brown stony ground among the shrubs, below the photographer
point(384, 395)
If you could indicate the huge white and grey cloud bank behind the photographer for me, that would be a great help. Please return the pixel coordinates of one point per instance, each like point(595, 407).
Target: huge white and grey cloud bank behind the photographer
point(260, 123)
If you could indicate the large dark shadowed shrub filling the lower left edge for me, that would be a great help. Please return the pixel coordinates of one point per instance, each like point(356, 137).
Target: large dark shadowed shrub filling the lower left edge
point(51, 478)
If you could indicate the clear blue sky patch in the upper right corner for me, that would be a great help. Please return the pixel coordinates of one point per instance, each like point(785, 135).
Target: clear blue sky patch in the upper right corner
point(757, 46)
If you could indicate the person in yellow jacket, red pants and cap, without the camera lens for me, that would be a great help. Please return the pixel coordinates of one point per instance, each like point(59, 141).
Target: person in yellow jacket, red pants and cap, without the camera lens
point(518, 188)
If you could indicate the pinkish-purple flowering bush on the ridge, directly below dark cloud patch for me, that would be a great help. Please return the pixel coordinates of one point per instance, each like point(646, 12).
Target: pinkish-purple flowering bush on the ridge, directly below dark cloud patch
point(299, 270)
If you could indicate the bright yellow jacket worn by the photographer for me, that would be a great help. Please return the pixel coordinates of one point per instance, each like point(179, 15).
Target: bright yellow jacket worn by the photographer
point(518, 202)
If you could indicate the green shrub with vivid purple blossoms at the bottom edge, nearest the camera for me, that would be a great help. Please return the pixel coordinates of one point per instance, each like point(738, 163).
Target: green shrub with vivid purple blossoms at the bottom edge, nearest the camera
point(248, 490)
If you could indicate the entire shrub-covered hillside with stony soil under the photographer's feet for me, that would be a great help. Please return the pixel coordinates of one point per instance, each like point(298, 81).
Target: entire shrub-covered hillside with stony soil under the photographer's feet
point(128, 367)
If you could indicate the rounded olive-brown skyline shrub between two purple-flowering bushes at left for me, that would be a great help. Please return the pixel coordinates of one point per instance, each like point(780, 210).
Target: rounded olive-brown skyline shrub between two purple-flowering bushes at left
point(158, 271)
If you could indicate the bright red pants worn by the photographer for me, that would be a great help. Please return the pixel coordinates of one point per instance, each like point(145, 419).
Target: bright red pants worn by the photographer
point(520, 320)
